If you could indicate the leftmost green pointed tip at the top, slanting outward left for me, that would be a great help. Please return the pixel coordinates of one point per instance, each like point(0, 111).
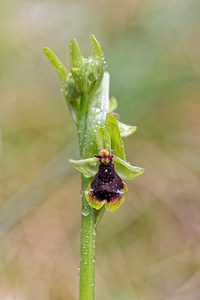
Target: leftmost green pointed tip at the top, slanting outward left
point(56, 63)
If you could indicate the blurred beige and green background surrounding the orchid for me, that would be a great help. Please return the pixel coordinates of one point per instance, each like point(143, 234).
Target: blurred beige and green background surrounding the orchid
point(150, 248)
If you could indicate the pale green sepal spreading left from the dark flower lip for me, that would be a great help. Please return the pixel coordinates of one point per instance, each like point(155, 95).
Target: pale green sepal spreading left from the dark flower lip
point(88, 167)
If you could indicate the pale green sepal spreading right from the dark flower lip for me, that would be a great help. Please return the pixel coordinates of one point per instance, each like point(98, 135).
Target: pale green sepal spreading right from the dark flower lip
point(125, 170)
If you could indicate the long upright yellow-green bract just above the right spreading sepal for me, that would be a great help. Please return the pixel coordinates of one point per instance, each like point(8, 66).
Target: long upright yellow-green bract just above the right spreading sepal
point(116, 140)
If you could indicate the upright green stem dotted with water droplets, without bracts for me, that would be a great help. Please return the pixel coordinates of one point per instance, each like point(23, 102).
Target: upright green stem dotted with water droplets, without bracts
point(88, 227)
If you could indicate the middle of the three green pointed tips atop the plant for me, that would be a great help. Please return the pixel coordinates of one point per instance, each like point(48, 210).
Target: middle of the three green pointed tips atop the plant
point(77, 66)
